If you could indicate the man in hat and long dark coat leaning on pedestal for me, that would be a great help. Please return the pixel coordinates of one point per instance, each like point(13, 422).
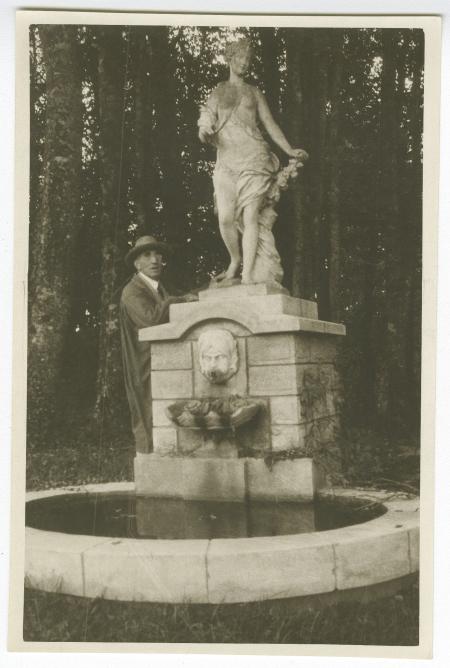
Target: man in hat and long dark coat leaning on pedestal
point(144, 303)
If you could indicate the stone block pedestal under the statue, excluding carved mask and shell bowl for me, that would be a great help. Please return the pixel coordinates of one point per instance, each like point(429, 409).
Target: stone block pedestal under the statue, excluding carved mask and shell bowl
point(286, 364)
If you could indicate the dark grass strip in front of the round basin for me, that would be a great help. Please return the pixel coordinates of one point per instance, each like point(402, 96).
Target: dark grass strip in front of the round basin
point(60, 618)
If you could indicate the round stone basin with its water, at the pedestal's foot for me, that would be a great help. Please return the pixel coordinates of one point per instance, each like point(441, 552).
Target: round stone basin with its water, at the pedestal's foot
point(164, 550)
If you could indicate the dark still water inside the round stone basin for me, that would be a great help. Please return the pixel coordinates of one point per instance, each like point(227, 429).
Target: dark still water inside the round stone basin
point(128, 515)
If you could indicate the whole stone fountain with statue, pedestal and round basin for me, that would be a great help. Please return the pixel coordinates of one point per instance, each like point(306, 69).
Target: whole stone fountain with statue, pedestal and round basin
point(245, 391)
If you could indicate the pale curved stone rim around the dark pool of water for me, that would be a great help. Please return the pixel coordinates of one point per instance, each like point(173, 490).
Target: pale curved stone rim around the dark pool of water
point(226, 570)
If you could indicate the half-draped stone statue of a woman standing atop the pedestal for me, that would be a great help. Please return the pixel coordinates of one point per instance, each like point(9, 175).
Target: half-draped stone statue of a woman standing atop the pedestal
point(245, 167)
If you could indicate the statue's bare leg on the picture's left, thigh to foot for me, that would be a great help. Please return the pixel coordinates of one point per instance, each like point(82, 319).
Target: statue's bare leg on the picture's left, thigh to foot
point(225, 191)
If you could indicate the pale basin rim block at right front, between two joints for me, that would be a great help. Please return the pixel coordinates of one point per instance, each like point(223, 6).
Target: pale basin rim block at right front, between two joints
point(362, 559)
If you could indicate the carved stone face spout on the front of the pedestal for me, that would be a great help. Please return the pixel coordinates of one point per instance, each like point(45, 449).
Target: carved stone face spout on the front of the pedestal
point(218, 355)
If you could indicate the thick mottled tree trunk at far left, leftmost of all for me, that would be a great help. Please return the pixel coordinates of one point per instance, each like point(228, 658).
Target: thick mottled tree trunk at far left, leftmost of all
point(57, 225)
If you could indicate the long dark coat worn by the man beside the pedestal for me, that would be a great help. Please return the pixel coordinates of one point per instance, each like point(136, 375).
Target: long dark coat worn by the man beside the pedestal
point(140, 306)
